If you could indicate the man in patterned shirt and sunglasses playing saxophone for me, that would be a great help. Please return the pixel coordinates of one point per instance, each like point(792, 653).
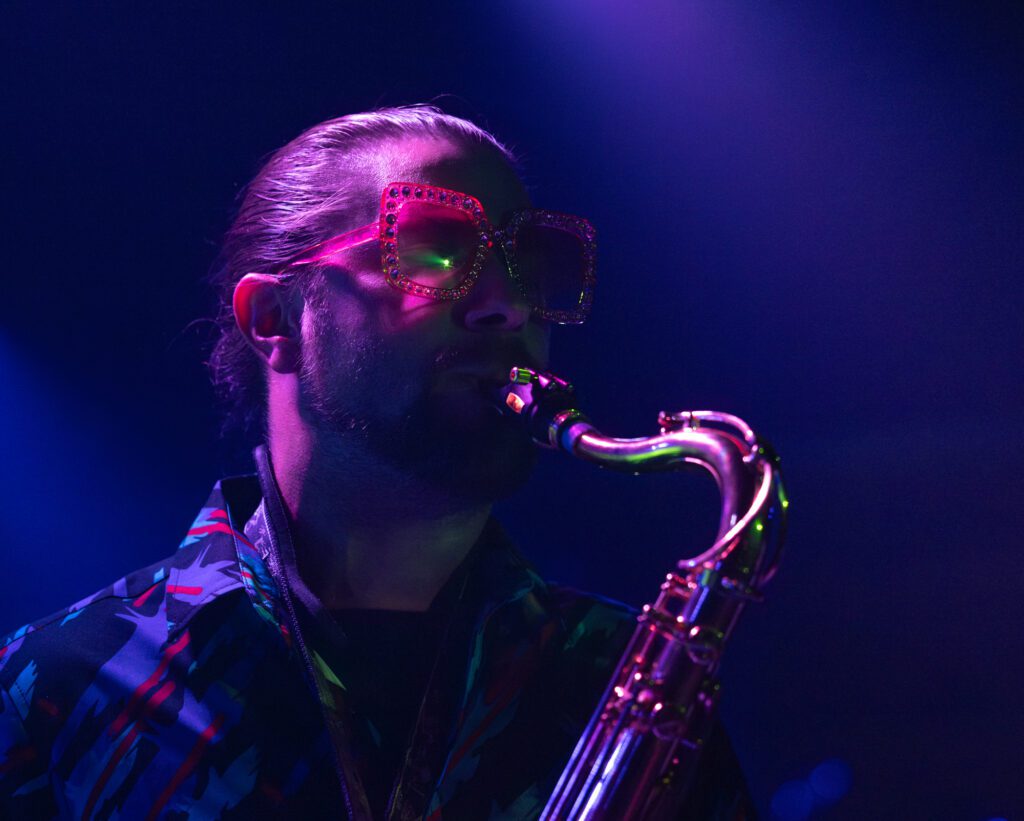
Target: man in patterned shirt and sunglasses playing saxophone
point(348, 633)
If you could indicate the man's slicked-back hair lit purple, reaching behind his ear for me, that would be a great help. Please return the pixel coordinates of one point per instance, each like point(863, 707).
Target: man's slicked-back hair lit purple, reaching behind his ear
point(303, 193)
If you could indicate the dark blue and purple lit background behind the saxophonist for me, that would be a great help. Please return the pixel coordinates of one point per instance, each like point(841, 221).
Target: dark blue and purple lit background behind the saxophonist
point(810, 215)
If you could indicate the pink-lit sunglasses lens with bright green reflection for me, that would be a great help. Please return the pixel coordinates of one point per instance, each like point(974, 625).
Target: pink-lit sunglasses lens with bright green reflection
point(437, 245)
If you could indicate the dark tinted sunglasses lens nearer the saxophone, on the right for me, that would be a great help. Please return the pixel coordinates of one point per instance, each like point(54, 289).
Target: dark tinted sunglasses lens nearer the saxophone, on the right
point(551, 266)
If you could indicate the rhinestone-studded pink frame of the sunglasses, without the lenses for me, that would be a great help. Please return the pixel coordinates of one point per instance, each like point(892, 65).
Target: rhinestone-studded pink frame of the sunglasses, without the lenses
point(503, 238)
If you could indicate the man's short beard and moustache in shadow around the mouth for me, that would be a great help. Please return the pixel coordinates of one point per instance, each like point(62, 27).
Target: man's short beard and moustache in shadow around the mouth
point(368, 401)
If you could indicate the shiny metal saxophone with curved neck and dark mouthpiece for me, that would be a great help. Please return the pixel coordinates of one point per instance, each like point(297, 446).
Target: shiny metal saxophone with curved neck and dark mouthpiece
point(638, 755)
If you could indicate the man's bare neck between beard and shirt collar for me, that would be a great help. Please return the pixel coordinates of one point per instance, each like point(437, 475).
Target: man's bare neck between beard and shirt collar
point(361, 546)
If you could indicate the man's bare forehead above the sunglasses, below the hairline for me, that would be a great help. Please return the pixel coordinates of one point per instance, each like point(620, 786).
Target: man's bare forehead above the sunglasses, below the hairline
point(478, 170)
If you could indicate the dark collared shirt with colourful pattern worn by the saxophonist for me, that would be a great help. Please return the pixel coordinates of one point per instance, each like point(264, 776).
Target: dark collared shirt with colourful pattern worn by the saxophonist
point(202, 687)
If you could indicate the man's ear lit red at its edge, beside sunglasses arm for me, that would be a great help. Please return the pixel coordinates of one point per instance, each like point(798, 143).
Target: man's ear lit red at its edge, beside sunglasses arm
point(269, 316)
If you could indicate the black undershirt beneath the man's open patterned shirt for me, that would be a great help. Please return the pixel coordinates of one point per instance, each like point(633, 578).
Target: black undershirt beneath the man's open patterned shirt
point(386, 664)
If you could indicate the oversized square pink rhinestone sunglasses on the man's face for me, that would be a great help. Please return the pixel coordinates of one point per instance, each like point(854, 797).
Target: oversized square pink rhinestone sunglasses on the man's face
point(435, 243)
